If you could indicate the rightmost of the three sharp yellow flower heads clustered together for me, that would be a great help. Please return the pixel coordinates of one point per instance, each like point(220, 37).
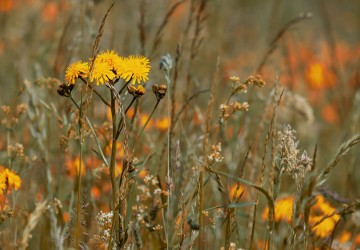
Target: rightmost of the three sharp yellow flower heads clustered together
point(136, 69)
